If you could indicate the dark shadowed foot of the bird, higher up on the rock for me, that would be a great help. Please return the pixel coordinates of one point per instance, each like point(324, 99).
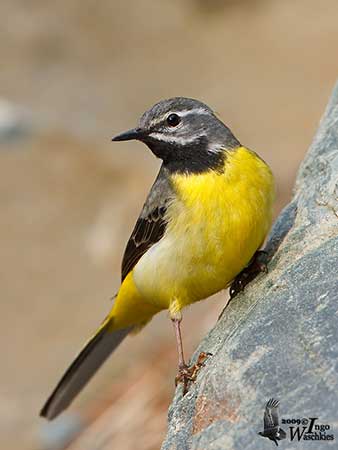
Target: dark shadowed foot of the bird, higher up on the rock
point(257, 265)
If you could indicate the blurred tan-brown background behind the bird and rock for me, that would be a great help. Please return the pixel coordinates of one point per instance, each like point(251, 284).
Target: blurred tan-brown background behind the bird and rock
point(74, 73)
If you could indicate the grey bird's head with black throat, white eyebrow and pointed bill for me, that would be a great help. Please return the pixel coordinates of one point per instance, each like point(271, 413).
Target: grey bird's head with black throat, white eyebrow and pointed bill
point(185, 133)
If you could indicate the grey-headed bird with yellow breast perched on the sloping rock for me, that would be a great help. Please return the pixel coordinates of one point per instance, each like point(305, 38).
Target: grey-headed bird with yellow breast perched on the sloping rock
point(206, 215)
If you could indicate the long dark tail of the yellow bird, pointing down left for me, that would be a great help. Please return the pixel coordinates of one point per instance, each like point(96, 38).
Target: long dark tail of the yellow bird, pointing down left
point(93, 355)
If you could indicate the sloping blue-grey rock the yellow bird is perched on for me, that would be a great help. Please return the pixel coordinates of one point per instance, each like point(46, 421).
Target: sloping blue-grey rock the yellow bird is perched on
point(280, 337)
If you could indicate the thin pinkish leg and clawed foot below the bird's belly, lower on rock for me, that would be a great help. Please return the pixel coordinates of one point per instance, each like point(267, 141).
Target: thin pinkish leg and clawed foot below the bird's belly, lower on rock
point(186, 374)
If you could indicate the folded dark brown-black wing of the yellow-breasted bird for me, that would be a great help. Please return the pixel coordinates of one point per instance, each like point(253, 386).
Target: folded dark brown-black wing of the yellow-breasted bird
point(151, 224)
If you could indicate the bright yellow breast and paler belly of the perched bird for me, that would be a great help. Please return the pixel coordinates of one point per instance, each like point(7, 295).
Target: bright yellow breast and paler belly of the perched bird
point(216, 224)
